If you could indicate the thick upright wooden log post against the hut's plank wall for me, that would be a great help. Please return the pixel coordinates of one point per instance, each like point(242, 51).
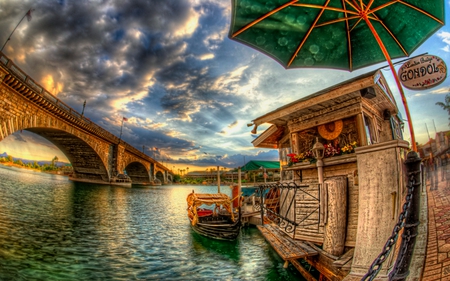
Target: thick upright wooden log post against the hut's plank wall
point(334, 240)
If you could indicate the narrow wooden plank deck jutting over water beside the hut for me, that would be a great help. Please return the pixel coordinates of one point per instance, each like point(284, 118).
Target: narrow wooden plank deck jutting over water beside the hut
point(288, 248)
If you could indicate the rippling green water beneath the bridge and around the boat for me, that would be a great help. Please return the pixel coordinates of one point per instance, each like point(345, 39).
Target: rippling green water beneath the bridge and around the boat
point(54, 229)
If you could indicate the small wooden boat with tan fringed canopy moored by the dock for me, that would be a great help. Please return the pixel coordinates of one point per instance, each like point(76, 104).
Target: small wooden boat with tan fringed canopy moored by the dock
point(219, 223)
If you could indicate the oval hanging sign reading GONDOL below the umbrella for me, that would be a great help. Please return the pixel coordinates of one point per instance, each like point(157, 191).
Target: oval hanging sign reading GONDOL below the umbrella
point(422, 72)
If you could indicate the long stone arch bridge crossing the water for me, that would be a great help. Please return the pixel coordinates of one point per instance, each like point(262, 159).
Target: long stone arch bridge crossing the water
point(96, 155)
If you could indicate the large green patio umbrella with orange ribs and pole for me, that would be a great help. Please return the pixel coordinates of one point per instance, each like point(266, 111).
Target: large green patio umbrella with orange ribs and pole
point(340, 34)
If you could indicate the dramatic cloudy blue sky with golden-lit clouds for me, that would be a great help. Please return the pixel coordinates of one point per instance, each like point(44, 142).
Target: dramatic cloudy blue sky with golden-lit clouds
point(171, 70)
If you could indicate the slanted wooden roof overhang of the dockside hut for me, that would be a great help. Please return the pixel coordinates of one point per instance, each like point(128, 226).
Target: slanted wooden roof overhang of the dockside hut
point(325, 103)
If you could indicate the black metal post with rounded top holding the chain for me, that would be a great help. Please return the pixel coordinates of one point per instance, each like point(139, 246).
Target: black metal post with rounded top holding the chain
point(401, 268)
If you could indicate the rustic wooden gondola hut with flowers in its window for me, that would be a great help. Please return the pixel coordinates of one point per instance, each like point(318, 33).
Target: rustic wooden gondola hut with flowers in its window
point(343, 149)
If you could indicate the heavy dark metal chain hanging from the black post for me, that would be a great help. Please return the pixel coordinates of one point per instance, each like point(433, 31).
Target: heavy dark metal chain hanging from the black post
point(378, 262)
